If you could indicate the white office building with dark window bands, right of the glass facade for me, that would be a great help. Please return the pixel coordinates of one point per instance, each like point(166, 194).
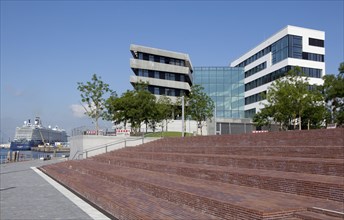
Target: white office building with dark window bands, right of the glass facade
point(273, 58)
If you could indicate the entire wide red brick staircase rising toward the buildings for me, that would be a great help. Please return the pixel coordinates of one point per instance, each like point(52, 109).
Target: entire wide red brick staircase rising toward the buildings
point(277, 175)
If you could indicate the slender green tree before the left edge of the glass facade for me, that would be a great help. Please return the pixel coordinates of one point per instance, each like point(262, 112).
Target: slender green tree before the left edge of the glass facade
point(199, 105)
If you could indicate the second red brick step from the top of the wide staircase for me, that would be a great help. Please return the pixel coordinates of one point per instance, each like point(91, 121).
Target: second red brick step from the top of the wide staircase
point(334, 152)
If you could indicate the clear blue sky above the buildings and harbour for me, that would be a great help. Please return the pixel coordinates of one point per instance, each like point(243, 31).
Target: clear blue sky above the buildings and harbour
point(47, 47)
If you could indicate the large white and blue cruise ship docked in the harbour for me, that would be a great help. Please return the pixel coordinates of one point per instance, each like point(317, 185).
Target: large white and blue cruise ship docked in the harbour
point(32, 135)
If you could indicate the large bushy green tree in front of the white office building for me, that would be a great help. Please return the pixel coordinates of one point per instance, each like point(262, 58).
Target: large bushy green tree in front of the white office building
point(290, 100)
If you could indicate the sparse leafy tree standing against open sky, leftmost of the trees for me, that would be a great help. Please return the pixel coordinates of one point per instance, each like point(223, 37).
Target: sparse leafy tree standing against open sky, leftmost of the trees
point(92, 94)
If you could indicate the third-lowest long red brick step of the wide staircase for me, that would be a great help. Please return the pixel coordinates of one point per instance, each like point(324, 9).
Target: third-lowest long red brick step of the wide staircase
point(318, 186)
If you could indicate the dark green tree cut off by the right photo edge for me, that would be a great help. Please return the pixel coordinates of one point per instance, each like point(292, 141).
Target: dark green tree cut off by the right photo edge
point(333, 91)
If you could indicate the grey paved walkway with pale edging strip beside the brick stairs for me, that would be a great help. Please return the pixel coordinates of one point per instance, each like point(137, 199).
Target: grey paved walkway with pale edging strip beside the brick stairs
point(26, 193)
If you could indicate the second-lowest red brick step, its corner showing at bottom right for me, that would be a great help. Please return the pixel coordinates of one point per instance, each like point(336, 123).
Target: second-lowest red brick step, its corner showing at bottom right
point(219, 199)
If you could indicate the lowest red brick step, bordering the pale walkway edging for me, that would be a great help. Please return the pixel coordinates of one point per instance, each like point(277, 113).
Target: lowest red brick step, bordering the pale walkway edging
point(122, 202)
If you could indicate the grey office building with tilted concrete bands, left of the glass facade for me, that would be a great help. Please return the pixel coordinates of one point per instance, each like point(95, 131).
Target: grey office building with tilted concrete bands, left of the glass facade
point(167, 73)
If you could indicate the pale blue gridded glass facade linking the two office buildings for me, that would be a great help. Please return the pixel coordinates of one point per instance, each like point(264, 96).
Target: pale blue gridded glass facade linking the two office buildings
point(225, 86)
